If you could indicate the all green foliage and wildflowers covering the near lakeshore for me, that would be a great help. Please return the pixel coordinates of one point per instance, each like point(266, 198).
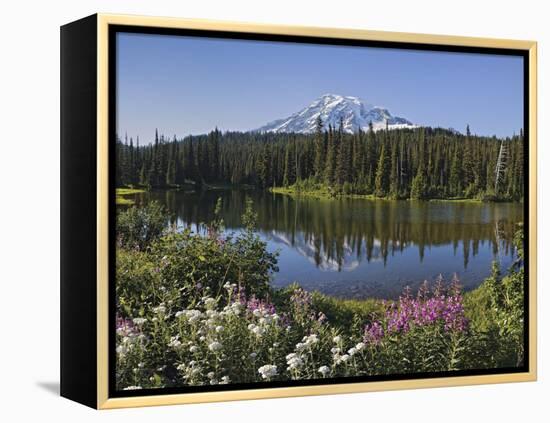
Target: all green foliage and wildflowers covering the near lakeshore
point(197, 309)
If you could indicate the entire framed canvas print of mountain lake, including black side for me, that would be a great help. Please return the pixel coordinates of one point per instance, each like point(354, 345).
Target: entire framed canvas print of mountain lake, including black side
point(254, 211)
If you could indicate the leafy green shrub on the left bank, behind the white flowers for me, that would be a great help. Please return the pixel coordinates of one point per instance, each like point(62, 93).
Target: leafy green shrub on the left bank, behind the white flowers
point(181, 267)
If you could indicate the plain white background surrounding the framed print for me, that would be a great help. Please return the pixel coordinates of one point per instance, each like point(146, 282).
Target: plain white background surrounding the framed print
point(29, 183)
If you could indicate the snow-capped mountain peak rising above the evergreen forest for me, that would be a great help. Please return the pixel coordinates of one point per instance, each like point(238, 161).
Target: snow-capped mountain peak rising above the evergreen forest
point(355, 113)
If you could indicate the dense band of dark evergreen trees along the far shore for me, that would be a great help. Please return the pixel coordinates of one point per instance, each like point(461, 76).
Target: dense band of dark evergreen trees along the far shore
point(416, 163)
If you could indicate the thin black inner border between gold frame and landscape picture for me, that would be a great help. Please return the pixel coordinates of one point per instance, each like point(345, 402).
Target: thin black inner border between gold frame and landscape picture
point(113, 30)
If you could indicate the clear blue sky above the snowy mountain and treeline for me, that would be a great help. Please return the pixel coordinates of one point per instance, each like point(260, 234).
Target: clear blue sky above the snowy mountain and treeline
point(188, 85)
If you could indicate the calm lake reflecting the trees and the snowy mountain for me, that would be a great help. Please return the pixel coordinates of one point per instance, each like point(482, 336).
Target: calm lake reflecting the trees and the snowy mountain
point(360, 248)
